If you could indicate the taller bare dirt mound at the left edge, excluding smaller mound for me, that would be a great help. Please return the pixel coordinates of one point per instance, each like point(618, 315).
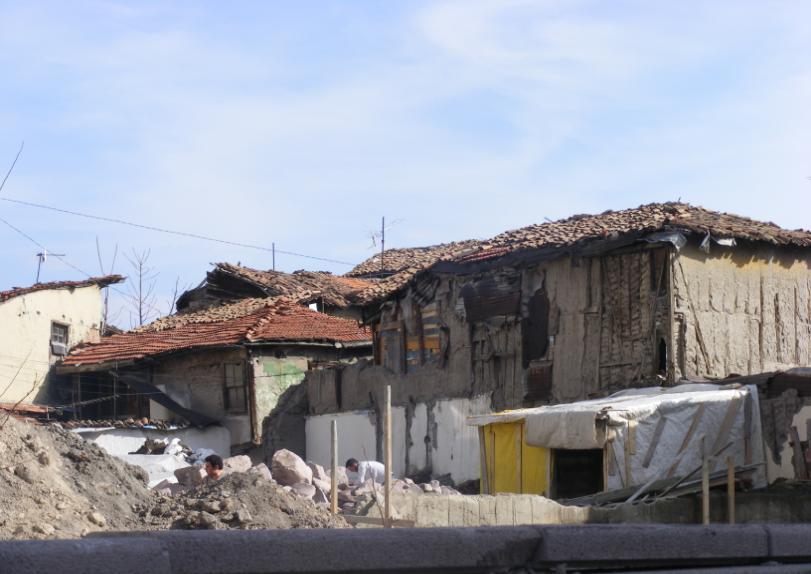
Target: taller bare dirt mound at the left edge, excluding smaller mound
point(54, 484)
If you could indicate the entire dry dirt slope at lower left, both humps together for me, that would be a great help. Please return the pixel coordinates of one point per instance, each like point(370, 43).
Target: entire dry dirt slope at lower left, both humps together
point(54, 484)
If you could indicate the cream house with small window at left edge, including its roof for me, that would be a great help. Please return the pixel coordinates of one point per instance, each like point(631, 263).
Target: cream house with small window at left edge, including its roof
point(38, 326)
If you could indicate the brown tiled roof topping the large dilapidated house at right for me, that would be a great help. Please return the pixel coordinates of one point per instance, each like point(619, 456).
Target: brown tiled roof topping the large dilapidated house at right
point(649, 218)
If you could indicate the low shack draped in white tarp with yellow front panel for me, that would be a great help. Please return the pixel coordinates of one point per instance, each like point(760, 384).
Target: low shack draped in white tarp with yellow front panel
point(643, 434)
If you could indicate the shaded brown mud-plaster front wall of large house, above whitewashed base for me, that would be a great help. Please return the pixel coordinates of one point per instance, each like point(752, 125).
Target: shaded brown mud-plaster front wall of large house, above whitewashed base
point(605, 317)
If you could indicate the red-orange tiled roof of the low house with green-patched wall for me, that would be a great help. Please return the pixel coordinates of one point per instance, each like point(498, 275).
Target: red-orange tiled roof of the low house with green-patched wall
point(247, 320)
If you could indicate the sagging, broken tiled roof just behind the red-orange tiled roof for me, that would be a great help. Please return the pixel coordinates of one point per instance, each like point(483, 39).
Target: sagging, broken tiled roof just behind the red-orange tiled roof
point(301, 286)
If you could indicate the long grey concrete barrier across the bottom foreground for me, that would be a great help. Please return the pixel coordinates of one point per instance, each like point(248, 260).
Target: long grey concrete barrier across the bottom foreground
point(657, 548)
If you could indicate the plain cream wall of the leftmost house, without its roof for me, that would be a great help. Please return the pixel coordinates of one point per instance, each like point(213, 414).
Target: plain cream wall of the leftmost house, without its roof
point(25, 335)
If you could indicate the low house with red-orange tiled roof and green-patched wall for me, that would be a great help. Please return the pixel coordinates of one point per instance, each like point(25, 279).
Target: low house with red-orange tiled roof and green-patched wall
point(227, 364)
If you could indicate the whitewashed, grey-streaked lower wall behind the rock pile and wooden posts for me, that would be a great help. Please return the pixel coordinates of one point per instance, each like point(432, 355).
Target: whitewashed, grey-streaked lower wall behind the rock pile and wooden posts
point(428, 438)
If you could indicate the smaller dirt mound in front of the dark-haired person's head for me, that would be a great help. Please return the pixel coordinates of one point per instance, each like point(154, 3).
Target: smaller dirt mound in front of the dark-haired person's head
point(241, 501)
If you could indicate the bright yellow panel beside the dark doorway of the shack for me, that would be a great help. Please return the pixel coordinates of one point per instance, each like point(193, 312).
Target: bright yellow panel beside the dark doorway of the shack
point(500, 442)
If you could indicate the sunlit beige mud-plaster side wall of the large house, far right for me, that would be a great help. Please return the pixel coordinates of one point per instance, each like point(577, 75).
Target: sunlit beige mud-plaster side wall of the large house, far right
point(741, 310)
